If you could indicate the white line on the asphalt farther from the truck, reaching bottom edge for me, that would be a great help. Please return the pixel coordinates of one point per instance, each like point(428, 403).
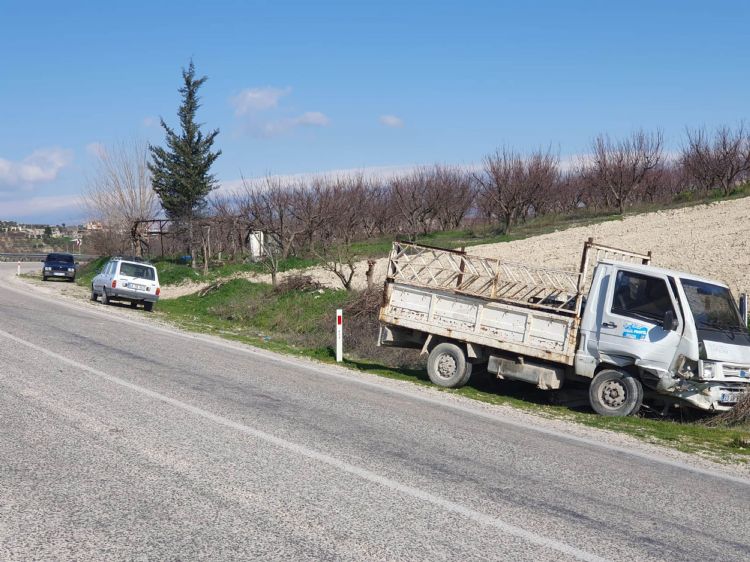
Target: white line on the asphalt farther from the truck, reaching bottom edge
point(329, 460)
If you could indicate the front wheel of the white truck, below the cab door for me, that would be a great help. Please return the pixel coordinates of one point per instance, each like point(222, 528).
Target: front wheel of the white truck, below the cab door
point(615, 393)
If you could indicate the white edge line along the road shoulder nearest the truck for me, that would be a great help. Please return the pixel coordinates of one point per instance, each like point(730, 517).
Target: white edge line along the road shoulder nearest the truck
point(344, 374)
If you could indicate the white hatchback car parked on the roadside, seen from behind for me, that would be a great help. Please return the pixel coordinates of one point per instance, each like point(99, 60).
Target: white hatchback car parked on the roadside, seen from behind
point(127, 280)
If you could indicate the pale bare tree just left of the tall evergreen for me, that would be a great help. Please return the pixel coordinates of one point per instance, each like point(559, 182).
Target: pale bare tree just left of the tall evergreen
point(119, 192)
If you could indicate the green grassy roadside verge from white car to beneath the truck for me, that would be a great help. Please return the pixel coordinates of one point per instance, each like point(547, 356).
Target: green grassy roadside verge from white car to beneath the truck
point(301, 323)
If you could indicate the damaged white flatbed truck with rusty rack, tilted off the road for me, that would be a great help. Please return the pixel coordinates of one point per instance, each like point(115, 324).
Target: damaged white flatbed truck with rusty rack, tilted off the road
point(619, 323)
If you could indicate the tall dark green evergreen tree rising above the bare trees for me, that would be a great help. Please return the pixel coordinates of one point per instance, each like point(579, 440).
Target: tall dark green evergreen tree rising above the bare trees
point(180, 172)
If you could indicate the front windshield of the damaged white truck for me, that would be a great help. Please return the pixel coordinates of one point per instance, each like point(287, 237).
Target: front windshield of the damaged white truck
point(712, 305)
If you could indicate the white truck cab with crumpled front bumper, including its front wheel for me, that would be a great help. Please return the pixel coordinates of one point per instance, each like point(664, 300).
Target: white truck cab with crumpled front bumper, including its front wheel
point(680, 336)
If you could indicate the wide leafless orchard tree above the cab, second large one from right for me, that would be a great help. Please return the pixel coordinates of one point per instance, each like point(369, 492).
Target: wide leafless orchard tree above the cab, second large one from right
point(621, 168)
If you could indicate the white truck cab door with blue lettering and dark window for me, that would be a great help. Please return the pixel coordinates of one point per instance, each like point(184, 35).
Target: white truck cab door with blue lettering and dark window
point(631, 329)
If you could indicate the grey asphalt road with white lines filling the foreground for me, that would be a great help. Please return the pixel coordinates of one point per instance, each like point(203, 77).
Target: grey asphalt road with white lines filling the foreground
point(123, 440)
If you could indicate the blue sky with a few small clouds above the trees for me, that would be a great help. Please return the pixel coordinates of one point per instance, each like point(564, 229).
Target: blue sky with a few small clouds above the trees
point(304, 87)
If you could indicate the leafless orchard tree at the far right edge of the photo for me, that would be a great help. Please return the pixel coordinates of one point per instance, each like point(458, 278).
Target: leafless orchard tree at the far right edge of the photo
point(718, 161)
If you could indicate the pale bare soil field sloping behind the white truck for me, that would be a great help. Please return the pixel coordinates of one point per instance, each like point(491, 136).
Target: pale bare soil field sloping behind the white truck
point(708, 240)
